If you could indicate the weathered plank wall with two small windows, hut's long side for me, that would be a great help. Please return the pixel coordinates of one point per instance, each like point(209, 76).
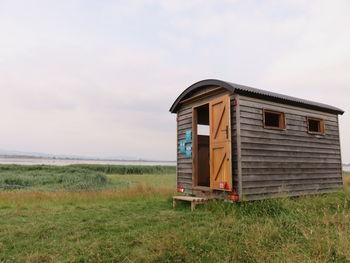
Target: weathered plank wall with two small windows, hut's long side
point(287, 162)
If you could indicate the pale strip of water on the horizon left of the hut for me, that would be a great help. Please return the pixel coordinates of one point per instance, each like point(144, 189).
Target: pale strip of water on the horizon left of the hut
point(60, 162)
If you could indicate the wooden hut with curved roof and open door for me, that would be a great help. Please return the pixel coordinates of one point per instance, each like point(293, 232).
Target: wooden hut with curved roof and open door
point(241, 143)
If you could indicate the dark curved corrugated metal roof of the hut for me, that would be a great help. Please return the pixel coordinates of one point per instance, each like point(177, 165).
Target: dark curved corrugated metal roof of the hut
point(256, 93)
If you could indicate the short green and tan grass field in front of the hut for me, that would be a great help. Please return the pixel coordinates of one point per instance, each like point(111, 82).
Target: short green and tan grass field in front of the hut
point(136, 223)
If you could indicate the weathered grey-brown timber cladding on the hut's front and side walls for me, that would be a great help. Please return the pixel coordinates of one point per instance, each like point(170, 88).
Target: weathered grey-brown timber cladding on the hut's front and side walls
point(272, 163)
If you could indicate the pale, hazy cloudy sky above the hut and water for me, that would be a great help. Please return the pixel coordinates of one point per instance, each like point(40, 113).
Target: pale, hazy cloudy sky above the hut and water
point(97, 78)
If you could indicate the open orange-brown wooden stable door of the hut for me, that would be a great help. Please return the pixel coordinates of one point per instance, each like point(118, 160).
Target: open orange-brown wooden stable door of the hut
point(220, 144)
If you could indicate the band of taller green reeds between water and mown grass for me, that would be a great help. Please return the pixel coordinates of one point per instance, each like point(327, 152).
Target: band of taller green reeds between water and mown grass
point(72, 176)
